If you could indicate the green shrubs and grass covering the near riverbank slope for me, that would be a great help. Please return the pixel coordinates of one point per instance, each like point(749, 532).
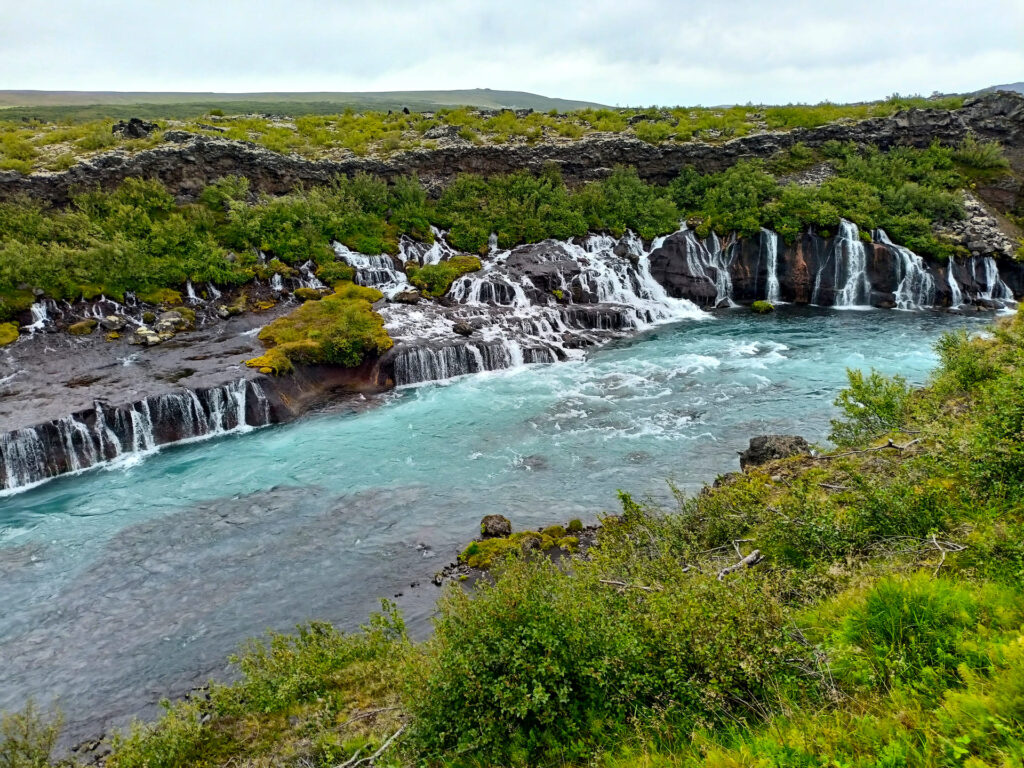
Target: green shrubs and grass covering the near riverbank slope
point(856, 608)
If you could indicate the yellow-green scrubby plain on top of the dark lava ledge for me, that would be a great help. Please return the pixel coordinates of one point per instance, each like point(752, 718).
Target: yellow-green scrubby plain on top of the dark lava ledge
point(29, 144)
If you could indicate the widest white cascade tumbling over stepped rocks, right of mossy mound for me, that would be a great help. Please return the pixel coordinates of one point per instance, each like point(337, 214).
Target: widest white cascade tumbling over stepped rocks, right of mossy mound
point(523, 309)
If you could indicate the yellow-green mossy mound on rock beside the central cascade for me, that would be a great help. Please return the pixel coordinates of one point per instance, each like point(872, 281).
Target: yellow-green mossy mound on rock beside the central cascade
point(342, 329)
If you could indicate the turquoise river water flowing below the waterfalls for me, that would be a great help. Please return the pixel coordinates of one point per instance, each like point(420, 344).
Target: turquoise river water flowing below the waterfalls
point(124, 585)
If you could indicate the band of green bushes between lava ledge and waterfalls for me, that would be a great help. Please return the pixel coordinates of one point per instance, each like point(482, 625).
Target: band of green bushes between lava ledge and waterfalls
point(138, 239)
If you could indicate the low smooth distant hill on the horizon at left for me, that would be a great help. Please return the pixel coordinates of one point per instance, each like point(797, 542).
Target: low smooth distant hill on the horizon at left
point(86, 105)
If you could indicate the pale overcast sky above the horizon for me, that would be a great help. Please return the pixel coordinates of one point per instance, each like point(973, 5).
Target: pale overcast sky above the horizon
point(621, 53)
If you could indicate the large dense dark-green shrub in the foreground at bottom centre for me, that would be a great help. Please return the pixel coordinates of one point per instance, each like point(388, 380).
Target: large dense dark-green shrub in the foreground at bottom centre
point(543, 668)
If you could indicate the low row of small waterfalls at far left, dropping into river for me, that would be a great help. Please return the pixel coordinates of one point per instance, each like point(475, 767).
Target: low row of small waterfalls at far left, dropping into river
point(74, 444)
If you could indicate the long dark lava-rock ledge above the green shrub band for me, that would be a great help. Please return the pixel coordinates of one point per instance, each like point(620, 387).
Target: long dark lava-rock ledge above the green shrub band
point(189, 162)
